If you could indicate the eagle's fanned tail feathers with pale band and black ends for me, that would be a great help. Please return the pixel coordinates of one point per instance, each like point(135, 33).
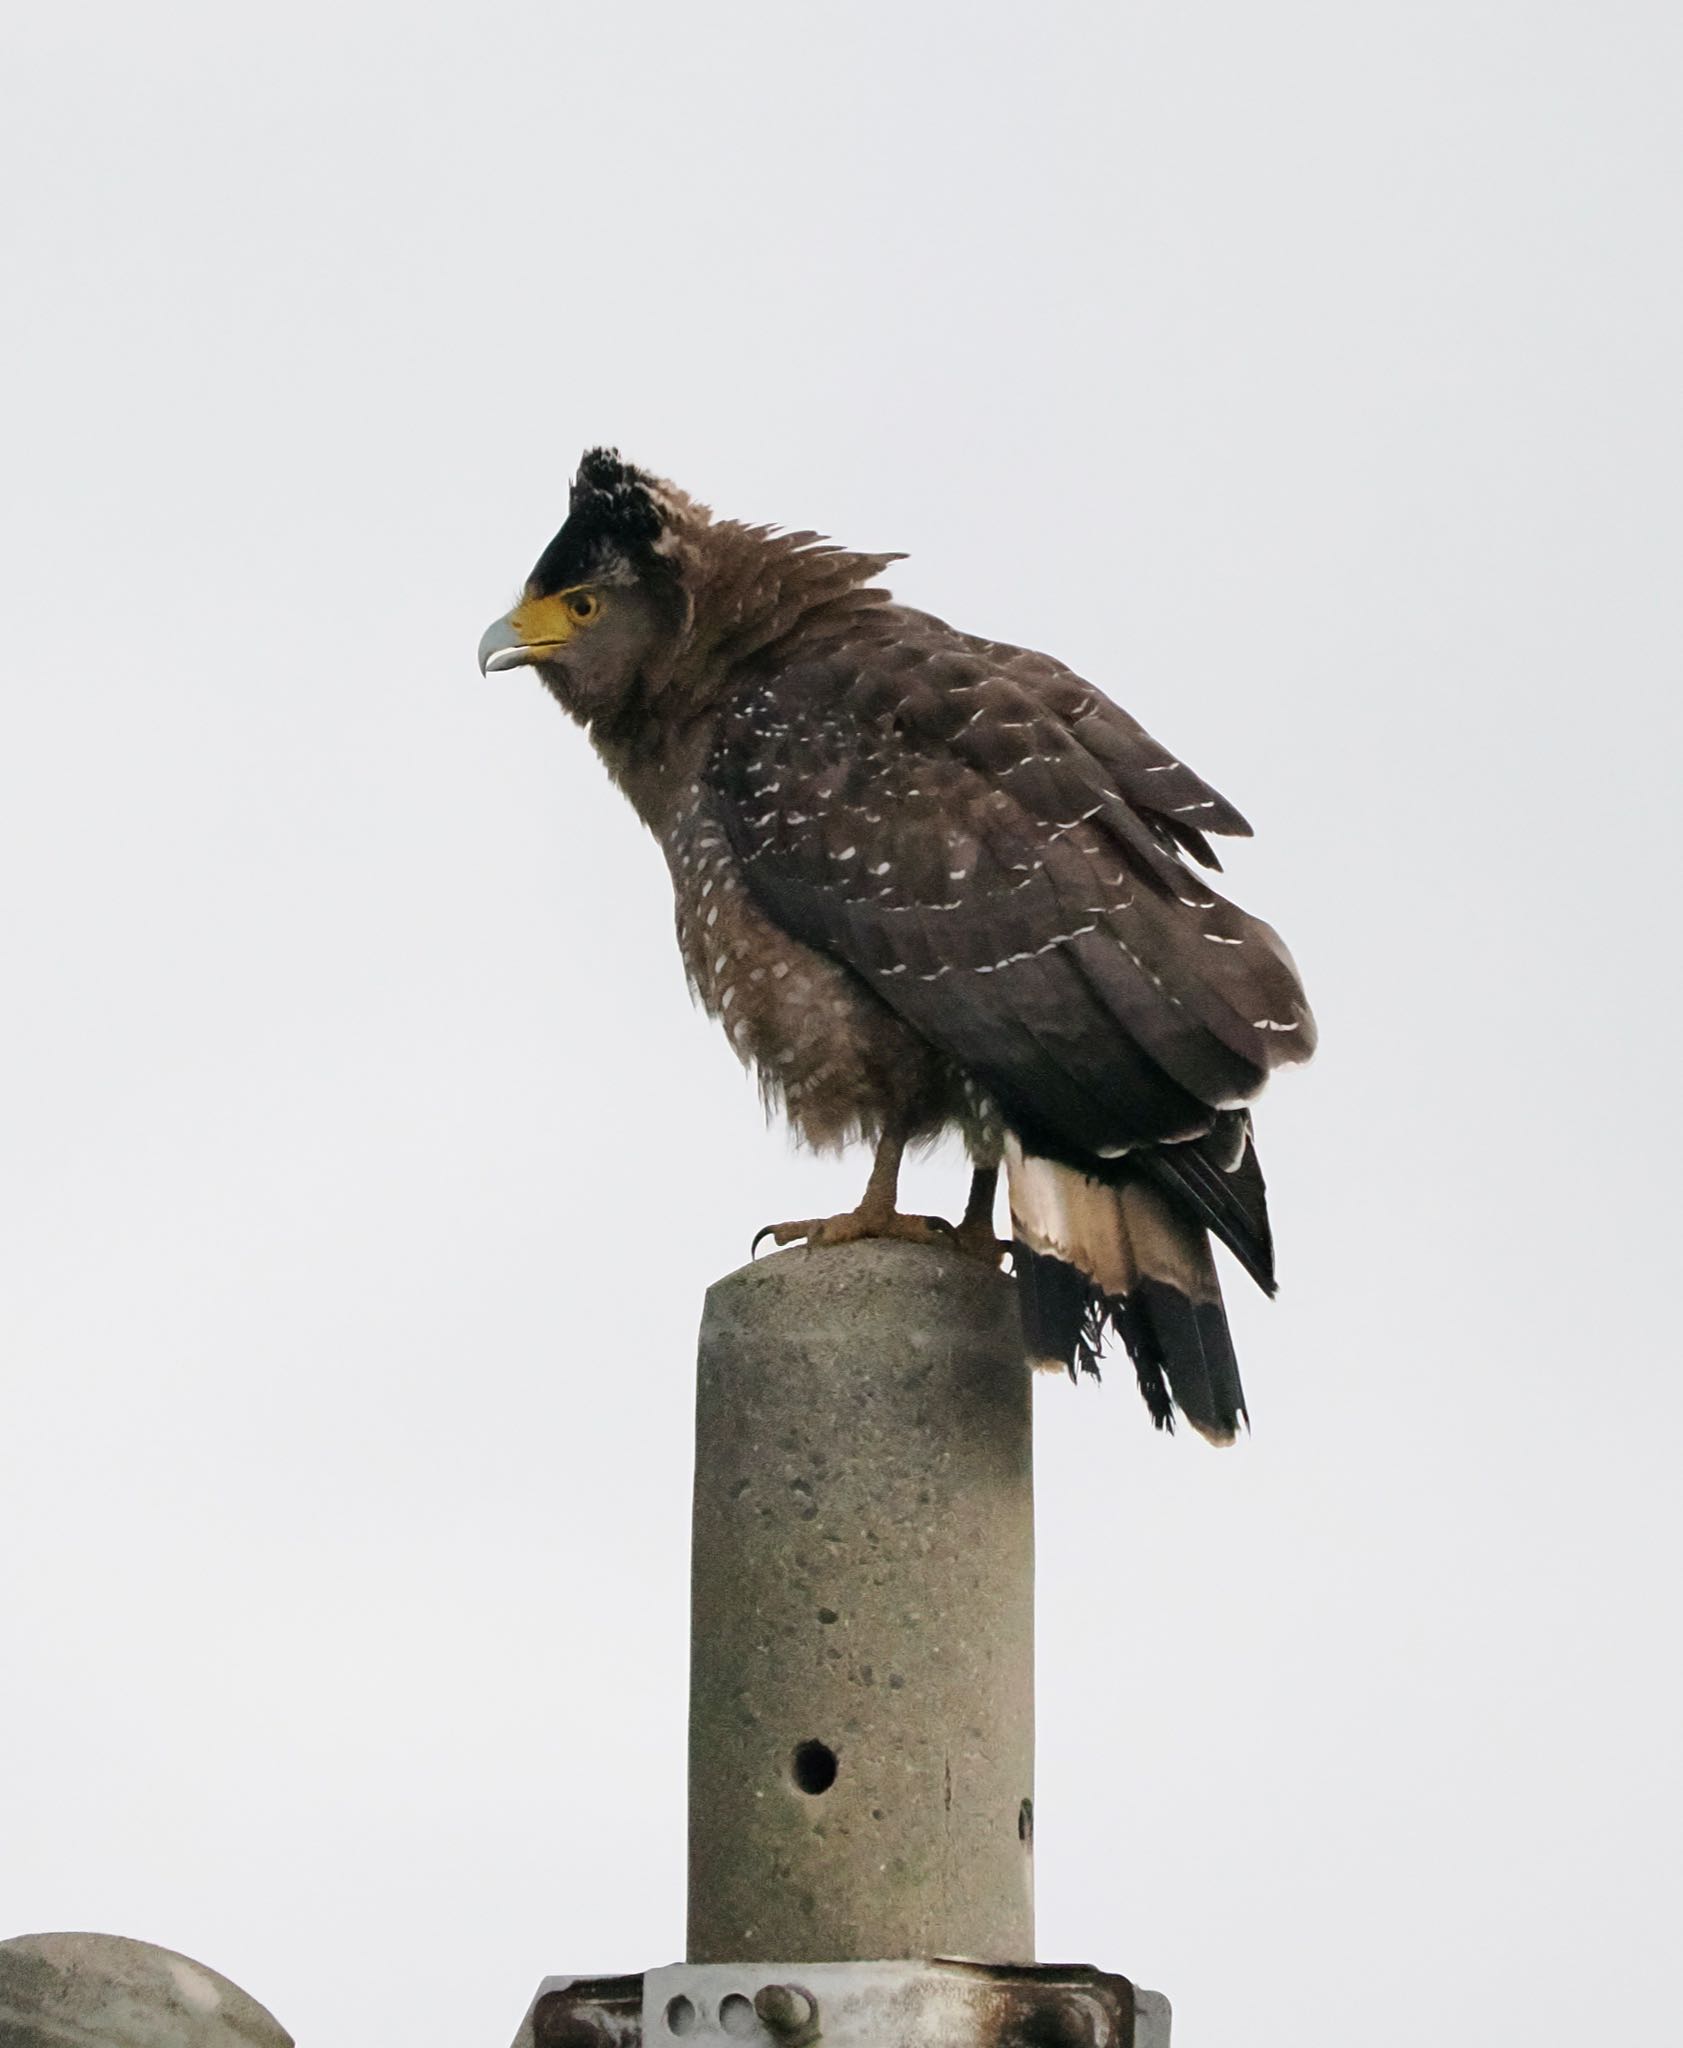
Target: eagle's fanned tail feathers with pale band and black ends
point(1096, 1256)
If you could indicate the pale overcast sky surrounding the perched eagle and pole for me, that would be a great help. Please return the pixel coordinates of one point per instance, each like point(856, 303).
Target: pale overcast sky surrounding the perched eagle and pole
point(1307, 376)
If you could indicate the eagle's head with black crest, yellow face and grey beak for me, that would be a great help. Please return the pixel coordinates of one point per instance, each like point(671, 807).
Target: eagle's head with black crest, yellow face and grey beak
point(607, 599)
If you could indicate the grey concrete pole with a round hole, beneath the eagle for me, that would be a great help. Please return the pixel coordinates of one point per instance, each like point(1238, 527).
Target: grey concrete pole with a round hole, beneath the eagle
point(863, 1623)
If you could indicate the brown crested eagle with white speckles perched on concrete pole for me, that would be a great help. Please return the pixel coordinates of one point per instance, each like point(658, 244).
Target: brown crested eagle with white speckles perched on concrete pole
point(933, 882)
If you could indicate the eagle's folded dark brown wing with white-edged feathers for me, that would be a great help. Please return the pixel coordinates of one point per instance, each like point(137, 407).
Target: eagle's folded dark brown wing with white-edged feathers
point(996, 851)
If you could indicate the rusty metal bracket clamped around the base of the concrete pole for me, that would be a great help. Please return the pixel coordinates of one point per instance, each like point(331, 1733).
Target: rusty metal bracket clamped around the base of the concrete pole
point(849, 2006)
